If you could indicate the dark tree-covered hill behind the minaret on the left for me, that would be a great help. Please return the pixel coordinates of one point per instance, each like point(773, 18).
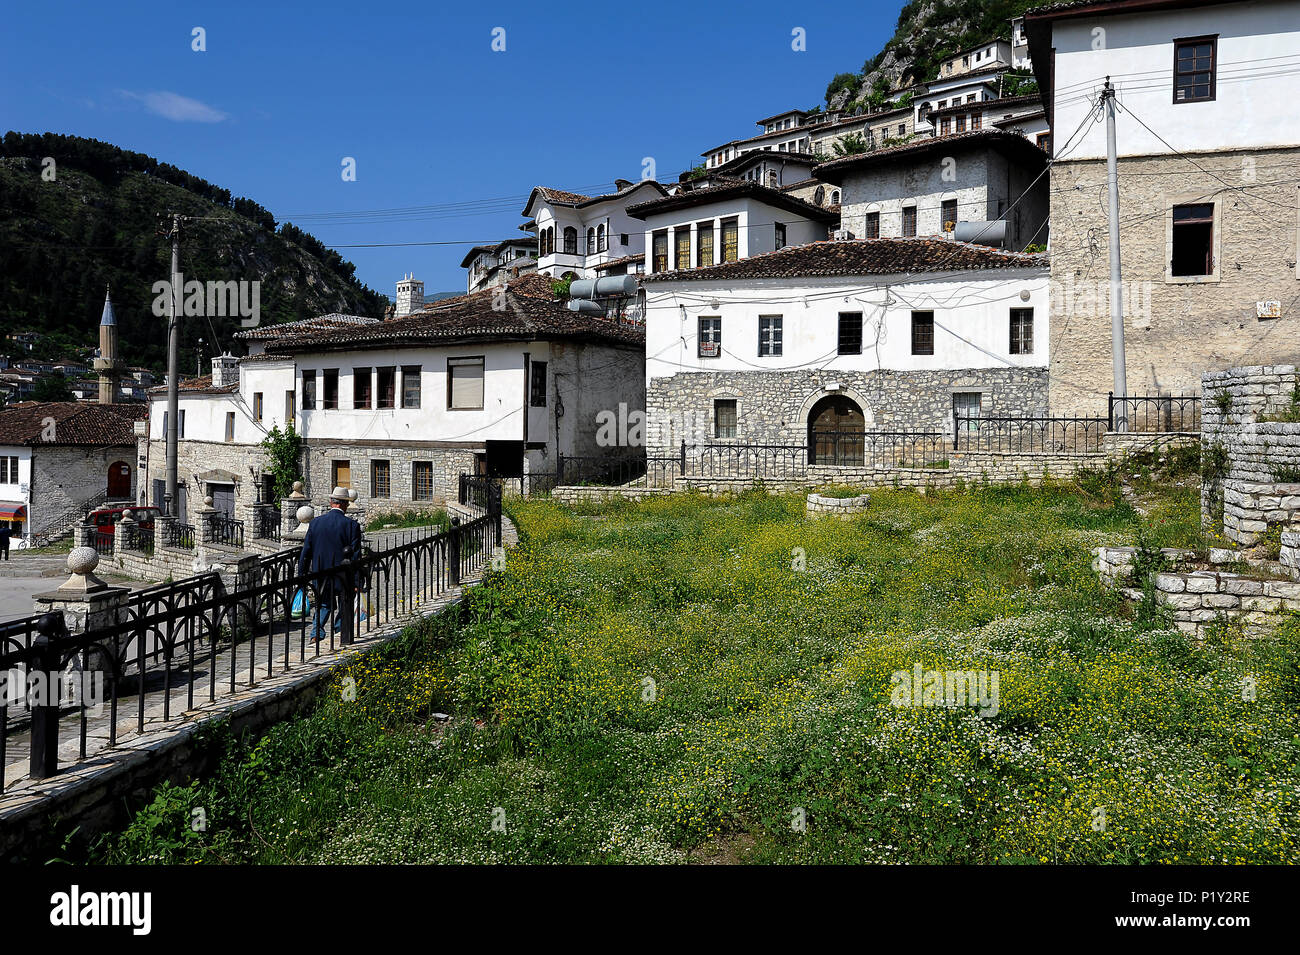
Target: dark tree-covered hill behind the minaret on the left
point(97, 223)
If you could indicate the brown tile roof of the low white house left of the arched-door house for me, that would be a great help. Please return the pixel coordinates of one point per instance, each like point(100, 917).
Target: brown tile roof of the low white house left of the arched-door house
point(527, 316)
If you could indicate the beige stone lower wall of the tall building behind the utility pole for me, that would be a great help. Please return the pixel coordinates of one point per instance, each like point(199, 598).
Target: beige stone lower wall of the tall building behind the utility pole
point(1173, 331)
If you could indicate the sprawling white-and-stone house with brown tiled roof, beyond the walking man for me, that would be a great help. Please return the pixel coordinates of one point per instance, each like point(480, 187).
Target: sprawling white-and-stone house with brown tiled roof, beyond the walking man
point(497, 383)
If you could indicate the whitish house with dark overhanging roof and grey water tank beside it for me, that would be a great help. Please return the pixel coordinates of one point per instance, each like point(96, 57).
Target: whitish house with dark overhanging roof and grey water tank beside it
point(989, 186)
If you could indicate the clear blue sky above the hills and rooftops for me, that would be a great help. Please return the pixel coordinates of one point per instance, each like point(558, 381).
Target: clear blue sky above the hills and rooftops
point(417, 95)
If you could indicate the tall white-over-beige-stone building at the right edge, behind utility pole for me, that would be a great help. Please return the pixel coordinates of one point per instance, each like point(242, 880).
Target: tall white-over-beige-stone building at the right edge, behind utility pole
point(1208, 149)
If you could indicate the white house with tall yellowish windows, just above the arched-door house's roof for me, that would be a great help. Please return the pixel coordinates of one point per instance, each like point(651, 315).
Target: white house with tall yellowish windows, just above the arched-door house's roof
point(726, 223)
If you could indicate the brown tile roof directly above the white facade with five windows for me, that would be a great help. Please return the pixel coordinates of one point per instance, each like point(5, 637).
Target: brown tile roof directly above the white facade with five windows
point(860, 258)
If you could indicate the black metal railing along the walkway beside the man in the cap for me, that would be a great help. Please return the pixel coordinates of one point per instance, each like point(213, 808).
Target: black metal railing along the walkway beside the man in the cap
point(198, 637)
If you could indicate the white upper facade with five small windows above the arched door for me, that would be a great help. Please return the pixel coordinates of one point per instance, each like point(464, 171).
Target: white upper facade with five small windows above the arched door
point(972, 314)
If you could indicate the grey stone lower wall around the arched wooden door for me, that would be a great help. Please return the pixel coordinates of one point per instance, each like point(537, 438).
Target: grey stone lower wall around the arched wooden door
point(773, 407)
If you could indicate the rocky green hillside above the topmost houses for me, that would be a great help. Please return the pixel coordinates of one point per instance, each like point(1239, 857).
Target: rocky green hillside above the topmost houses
point(928, 33)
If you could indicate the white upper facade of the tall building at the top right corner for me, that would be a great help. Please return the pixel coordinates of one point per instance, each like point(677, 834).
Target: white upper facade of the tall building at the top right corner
point(1256, 79)
